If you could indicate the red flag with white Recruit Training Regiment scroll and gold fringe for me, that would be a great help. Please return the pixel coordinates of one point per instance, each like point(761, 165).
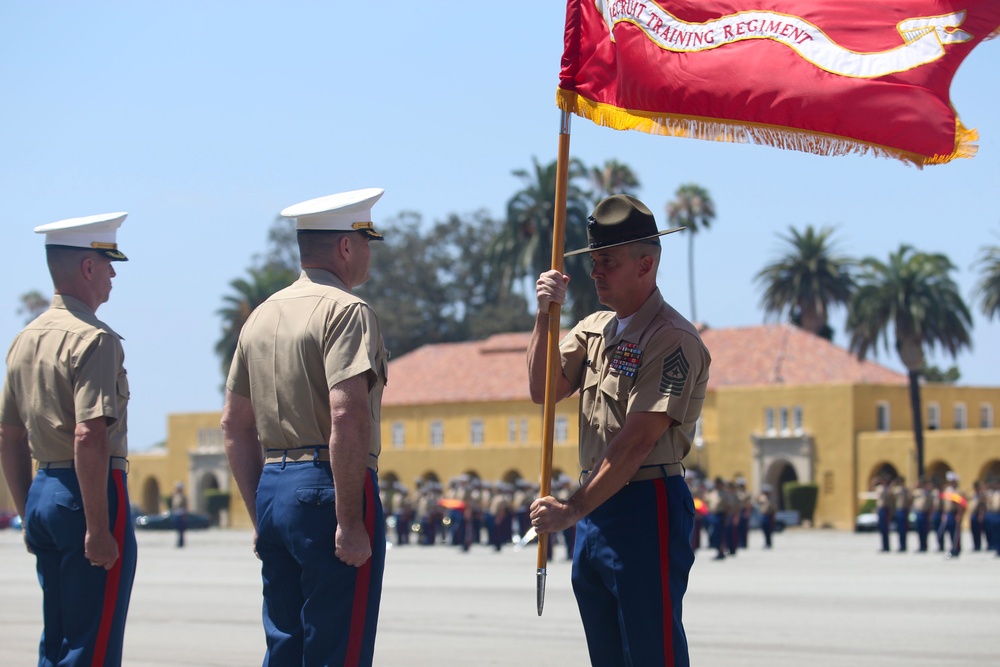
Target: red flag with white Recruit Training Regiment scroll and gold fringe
point(822, 76)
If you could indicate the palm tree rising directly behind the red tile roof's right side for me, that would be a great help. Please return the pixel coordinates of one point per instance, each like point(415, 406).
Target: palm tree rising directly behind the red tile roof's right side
point(807, 280)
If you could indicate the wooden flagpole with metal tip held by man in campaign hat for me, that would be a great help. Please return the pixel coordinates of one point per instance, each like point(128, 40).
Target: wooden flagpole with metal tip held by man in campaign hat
point(553, 367)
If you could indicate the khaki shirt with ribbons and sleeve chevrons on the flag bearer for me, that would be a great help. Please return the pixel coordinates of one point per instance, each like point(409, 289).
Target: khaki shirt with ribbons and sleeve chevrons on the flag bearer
point(658, 363)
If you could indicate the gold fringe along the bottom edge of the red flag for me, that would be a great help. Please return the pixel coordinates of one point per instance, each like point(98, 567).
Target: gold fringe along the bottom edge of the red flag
point(788, 138)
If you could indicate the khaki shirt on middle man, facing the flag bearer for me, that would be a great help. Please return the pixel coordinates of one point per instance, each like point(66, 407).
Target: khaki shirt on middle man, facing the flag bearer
point(295, 348)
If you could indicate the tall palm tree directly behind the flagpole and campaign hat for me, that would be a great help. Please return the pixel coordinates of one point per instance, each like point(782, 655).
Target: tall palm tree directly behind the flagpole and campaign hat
point(524, 245)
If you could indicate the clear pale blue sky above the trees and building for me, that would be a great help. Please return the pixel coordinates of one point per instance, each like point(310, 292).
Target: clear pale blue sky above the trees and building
point(204, 119)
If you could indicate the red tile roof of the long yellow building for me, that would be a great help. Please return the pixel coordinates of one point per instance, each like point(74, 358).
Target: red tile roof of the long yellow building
point(495, 369)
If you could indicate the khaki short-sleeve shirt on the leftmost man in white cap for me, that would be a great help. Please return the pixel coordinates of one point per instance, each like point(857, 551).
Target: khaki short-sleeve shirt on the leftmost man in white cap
point(65, 367)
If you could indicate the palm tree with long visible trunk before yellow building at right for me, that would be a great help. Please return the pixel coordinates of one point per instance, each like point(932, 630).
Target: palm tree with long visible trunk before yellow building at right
point(914, 295)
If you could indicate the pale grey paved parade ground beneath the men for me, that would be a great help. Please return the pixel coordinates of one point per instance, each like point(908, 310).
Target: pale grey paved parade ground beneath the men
point(820, 598)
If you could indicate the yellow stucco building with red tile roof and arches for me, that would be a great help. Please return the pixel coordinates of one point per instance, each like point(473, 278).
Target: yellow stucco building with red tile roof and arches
point(782, 405)
